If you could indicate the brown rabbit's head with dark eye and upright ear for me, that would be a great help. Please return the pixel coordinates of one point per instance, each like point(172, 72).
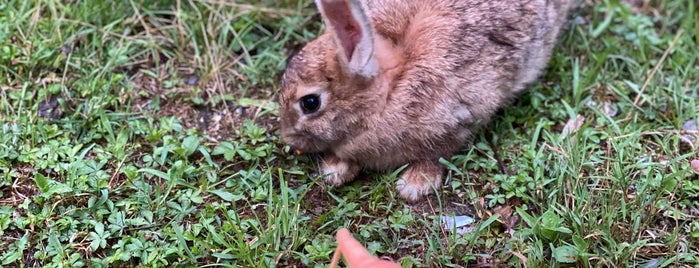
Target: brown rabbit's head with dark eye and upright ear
point(330, 86)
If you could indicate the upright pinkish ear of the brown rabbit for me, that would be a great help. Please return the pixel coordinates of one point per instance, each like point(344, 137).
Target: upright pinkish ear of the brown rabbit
point(353, 34)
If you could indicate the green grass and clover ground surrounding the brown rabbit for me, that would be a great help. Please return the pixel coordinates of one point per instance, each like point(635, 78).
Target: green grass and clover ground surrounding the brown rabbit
point(144, 133)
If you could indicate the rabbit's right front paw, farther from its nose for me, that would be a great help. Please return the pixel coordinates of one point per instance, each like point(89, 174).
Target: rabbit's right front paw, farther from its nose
point(418, 179)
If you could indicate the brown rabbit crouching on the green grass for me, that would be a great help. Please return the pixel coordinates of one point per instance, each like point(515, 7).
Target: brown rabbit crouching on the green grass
point(394, 82)
